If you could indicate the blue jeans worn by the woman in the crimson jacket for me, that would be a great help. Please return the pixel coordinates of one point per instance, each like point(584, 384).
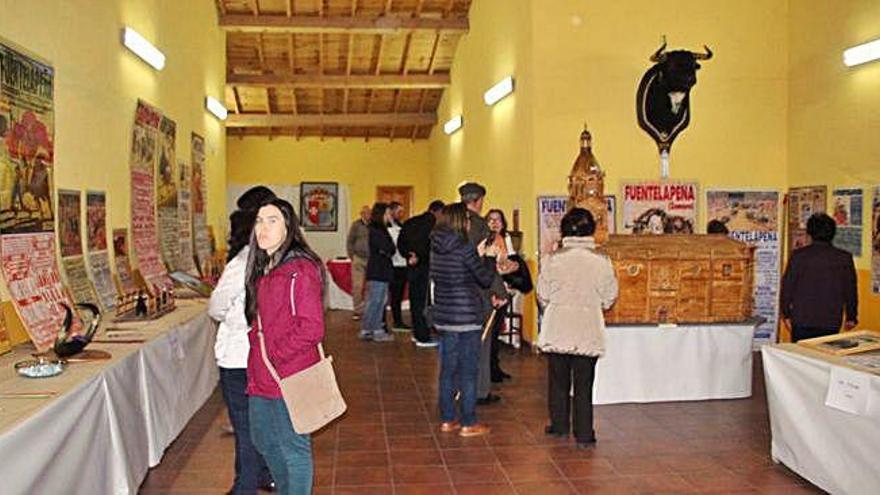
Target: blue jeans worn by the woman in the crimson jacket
point(288, 453)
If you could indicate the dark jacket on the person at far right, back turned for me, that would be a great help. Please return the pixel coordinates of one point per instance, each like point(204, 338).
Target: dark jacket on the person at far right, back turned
point(819, 285)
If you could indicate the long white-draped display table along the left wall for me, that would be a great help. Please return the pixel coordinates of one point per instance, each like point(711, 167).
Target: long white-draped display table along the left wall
point(110, 421)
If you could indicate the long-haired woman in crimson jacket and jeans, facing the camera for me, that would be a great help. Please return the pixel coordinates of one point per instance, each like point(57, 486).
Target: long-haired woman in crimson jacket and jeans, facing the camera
point(283, 296)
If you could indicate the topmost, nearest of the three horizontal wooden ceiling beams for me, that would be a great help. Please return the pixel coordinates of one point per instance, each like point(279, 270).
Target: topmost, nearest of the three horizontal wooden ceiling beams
point(388, 24)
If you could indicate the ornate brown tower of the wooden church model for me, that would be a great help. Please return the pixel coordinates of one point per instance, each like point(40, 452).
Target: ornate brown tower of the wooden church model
point(586, 187)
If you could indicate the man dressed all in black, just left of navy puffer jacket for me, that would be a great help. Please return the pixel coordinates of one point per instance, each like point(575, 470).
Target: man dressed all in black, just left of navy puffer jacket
point(414, 244)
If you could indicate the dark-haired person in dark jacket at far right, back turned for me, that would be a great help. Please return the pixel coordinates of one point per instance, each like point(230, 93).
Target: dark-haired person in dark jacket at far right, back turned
point(819, 286)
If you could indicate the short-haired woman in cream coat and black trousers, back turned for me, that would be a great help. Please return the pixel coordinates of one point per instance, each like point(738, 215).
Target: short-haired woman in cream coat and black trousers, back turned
point(574, 286)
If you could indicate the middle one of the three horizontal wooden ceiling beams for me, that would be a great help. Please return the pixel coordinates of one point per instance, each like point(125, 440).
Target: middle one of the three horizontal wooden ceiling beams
point(386, 81)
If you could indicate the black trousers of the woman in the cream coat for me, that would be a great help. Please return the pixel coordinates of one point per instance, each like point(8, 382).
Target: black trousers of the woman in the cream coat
point(562, 369)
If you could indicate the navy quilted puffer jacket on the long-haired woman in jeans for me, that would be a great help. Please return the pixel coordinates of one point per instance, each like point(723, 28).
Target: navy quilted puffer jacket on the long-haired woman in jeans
point(458, 274)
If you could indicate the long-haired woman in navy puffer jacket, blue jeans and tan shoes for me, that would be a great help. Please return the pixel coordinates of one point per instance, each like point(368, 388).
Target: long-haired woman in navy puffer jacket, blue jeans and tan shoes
point(458, 275)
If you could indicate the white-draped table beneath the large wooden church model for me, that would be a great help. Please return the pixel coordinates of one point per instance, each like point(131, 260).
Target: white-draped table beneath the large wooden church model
point(647, 363)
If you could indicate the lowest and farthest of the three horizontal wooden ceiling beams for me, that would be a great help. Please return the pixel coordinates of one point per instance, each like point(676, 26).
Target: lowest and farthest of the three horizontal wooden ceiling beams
point(332, 120)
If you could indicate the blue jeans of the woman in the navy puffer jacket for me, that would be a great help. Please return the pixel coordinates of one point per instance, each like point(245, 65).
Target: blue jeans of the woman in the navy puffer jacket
point(459, 365)
